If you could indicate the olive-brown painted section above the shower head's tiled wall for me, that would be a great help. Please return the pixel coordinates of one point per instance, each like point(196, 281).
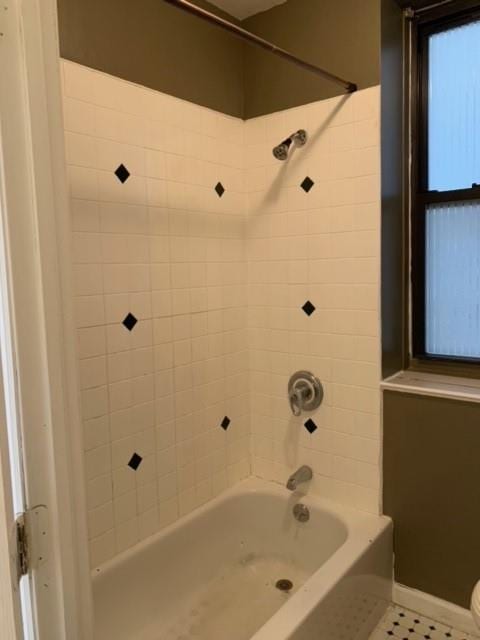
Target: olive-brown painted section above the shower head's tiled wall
point(342, 36)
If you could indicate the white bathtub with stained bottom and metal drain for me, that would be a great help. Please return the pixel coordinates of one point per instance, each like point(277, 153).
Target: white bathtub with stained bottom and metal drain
point(213, 574)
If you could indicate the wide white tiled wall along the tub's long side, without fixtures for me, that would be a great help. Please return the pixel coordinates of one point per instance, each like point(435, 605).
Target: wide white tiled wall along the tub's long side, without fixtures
point(166, 248)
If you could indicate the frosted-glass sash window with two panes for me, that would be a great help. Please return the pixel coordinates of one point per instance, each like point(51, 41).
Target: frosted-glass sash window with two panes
point(446, 192)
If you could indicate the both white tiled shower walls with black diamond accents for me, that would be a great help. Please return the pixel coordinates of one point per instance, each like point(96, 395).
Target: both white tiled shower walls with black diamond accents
point(217, 286)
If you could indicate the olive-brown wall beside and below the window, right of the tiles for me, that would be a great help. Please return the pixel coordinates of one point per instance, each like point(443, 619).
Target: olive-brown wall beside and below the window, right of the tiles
point(431, 468)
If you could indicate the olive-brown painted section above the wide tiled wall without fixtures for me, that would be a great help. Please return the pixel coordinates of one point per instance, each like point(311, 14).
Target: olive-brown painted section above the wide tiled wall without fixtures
point(158, 46)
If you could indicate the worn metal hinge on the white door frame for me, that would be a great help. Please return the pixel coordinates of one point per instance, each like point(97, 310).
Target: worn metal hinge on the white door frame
point(31, 539)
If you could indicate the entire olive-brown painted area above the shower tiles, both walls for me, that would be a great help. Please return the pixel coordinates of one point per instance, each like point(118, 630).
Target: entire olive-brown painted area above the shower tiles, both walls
point(154, 44)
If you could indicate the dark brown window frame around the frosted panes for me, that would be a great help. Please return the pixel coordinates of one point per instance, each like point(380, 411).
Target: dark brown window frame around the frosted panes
point(427, 24)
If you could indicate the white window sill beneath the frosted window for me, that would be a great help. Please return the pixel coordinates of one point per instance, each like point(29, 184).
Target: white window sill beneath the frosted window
point(430, 384)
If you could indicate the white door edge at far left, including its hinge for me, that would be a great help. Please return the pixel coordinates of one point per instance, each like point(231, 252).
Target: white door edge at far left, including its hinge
point(22, 529)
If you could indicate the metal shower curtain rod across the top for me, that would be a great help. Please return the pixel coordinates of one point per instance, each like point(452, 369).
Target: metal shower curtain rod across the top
point(187, 6)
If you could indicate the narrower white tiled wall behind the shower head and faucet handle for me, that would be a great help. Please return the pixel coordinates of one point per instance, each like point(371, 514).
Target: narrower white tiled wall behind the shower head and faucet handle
point(322, 246)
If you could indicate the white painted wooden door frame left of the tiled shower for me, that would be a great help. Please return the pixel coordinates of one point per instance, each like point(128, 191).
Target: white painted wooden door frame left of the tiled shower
point(37, 246)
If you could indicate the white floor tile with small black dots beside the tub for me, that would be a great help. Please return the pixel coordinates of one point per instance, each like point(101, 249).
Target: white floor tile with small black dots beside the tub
point(408, 625)
